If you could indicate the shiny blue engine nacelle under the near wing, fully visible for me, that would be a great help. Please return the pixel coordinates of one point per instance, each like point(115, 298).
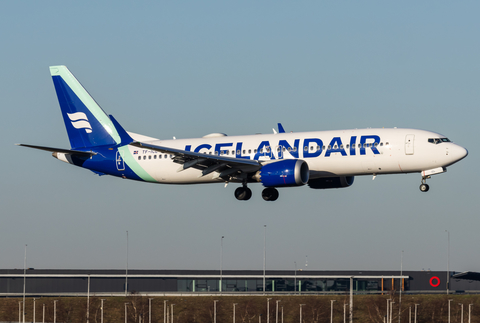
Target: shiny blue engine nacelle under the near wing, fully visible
point(288, 172)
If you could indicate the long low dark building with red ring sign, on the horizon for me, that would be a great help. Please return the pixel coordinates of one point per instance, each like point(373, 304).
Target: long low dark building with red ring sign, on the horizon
point(112, 282)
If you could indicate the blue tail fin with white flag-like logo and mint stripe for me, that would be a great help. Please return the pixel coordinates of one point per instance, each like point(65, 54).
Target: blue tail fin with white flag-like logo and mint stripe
point(87, 124)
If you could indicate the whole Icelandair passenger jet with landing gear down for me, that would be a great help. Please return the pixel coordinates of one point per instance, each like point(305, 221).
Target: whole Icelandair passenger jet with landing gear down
point(321, 159)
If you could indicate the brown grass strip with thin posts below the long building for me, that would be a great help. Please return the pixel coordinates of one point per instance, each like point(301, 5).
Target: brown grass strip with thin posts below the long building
point(200, 309)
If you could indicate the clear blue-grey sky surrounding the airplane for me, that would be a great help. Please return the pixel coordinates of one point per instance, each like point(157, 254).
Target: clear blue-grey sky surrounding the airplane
point(190, 68)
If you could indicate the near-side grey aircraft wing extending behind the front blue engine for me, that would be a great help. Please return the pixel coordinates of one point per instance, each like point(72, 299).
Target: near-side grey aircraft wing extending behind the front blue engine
point(225, 166)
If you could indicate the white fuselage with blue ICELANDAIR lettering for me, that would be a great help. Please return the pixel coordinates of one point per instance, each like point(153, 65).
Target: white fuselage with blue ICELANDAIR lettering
point(328, 153)
